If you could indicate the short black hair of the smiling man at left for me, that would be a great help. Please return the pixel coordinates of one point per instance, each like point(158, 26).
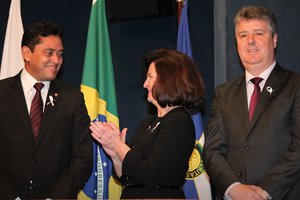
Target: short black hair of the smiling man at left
point(33, 33)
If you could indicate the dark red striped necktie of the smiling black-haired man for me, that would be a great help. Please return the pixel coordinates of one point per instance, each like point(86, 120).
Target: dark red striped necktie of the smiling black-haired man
point(36, 109)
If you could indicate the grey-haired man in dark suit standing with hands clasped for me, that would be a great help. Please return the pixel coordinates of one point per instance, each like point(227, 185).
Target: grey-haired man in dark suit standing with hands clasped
point(256, 156)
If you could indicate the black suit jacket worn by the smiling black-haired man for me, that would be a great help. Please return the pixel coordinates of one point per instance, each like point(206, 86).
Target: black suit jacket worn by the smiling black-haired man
point(60, 161)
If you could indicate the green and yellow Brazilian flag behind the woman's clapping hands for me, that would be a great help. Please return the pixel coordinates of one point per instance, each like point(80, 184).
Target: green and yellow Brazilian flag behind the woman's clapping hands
point(98, 87)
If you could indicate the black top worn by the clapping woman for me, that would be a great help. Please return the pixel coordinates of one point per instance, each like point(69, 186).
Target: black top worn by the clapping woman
point(159, 156)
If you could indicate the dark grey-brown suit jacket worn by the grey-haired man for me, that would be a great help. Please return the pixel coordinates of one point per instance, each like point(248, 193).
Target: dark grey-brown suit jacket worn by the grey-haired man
point(265, 152)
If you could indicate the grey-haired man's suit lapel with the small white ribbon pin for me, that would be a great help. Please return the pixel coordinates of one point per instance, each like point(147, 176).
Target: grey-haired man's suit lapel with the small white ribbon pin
point(272, 88)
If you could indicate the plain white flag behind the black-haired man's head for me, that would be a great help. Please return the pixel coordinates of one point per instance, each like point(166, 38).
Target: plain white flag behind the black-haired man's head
point(12, 61)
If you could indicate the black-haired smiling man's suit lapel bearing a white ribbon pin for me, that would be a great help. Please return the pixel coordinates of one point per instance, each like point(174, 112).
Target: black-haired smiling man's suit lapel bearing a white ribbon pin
point(50, 109)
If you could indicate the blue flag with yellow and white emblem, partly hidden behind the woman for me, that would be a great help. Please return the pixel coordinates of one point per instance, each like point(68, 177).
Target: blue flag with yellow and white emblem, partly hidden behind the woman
point(197, 184)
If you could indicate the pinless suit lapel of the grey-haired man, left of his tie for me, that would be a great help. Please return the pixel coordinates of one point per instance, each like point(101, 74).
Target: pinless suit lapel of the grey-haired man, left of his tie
point(241, 102)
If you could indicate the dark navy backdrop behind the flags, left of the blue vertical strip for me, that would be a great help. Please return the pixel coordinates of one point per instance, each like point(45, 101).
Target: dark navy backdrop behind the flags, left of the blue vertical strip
point(130, 40)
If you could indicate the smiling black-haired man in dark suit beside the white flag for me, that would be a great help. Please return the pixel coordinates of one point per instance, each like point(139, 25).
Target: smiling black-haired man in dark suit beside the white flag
point(53, 159)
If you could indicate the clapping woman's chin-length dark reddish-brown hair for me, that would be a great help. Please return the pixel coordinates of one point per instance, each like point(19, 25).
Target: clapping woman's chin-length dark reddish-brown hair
point(178, 81)
